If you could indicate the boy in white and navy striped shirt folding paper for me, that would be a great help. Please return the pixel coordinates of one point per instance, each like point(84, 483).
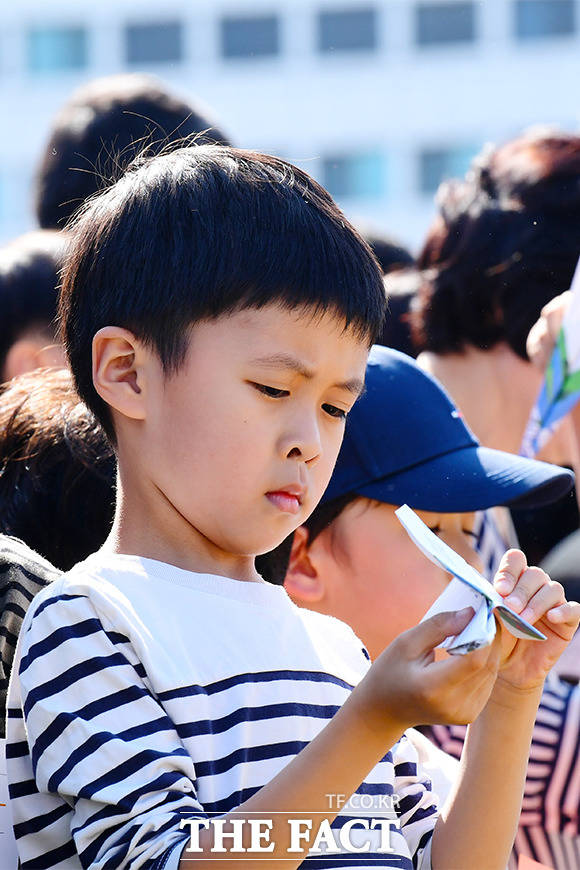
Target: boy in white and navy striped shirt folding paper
point(230, 308)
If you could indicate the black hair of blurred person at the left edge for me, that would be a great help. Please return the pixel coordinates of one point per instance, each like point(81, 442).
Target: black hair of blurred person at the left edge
point(29, 268)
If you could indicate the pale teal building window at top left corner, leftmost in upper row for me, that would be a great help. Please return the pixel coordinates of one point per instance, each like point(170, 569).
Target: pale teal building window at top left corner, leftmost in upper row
point(56, 48)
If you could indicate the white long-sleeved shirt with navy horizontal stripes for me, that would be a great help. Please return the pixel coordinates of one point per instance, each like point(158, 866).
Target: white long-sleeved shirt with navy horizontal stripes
point(143, 694)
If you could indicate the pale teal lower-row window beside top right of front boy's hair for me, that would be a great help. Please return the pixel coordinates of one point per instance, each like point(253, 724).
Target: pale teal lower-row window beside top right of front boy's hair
point(348, 176)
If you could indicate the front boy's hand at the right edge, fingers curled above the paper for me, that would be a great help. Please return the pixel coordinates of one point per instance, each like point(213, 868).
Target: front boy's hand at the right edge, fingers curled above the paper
point(542, 602)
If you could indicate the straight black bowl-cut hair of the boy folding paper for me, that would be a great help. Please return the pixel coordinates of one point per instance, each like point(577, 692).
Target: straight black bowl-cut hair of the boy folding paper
point(204, 231)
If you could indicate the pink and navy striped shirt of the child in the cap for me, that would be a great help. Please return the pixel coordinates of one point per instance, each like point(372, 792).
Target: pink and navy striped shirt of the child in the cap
point(549, 823)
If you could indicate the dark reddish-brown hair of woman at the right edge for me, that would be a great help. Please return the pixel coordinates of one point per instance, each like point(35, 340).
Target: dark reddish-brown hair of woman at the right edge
point(506, 241)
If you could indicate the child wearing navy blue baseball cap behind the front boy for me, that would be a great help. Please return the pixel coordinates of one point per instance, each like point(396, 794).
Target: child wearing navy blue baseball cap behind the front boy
point(406, 443)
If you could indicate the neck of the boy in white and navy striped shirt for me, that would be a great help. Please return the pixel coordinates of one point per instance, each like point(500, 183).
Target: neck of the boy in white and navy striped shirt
point(144, 527)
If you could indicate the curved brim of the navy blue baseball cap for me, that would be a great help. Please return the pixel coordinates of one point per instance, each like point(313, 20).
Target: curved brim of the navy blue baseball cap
point(471, 479)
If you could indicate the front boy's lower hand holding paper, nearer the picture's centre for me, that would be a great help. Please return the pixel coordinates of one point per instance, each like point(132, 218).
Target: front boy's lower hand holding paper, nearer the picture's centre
point(408, 686)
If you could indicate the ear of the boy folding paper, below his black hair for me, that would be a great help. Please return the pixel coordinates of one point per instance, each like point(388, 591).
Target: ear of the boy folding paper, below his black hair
point(119, 370)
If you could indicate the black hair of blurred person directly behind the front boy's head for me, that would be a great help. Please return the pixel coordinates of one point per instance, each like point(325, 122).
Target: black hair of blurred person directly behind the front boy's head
point(101, 128)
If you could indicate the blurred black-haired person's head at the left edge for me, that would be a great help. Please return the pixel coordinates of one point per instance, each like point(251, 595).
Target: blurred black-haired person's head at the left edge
point(29, 267)
